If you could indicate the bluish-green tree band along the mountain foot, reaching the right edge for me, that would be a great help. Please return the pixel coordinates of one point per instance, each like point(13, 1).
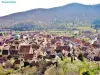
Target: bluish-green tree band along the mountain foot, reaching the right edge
point(53, 26)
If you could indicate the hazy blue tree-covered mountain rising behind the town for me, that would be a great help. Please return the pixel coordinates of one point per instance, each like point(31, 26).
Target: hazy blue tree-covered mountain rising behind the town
point(71, 14)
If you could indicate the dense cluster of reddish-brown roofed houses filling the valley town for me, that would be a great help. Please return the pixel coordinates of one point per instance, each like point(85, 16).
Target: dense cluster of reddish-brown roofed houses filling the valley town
point(36, 46)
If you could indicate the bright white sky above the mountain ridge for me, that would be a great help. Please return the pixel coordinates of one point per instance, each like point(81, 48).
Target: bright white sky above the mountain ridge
point(24, 5)
